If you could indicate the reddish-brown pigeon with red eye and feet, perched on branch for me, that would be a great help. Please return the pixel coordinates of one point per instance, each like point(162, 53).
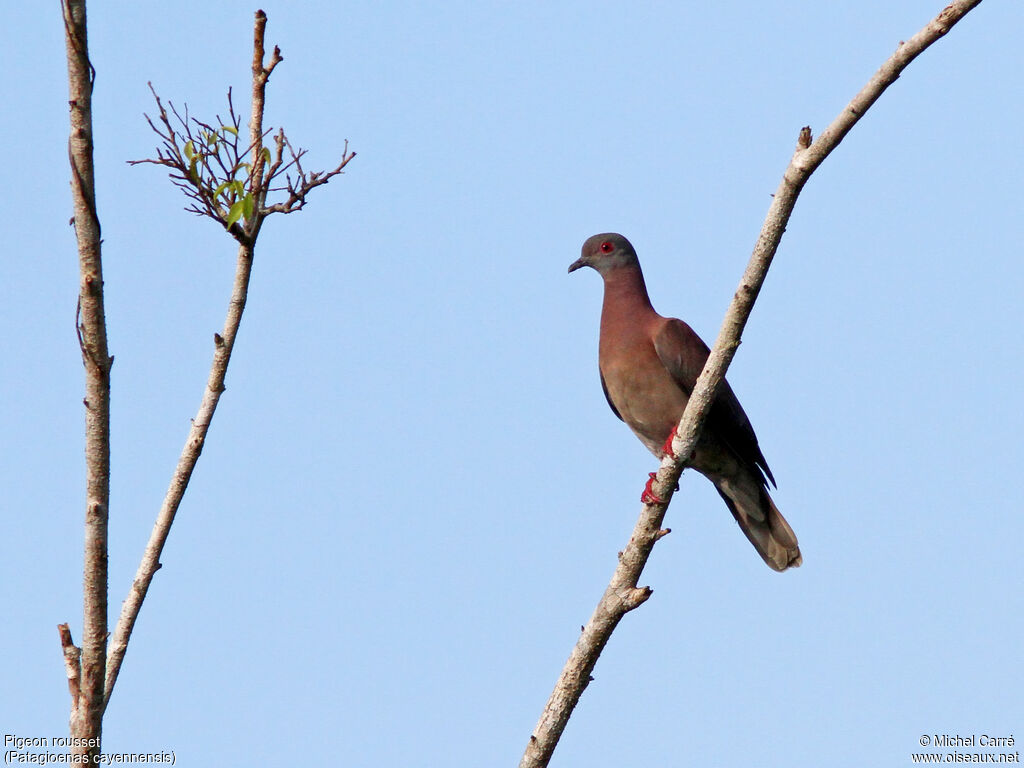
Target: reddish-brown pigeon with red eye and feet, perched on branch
point(650, 365)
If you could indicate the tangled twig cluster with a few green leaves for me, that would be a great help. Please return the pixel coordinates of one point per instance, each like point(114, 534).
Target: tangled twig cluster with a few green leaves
point(229, 180)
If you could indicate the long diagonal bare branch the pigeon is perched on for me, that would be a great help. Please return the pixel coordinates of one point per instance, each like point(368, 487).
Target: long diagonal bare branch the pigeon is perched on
point(623, 594)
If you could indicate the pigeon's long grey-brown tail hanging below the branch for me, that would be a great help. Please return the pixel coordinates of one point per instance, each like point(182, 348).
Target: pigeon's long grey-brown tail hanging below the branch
point(763, 524)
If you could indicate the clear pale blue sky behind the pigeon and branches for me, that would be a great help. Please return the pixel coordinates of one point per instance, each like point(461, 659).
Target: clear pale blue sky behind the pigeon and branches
point(414, 492)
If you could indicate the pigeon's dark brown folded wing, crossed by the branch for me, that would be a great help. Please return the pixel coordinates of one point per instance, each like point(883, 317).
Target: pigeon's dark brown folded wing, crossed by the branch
point(685, 355)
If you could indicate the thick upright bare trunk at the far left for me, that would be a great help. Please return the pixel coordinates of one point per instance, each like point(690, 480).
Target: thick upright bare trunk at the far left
point(88, 701)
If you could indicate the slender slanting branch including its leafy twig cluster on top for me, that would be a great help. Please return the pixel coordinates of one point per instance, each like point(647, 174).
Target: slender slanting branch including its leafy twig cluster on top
point(228, 181)
